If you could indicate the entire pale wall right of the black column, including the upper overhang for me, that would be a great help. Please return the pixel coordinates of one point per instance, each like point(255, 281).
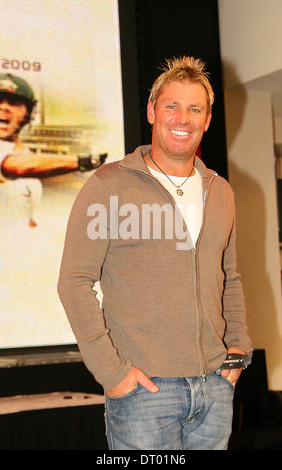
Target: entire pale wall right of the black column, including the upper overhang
point(251, 45)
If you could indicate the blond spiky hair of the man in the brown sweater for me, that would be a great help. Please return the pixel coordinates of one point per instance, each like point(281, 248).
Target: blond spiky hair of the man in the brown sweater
point(181, 69)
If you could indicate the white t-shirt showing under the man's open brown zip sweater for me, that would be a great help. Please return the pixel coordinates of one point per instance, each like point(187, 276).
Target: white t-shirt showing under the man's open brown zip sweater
point(190, 203)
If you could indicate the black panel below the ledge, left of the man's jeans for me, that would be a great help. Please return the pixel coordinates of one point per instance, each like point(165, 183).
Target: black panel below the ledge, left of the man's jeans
point(75, 428)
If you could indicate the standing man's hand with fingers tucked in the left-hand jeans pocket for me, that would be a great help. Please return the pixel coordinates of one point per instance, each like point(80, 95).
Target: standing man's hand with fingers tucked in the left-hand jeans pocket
point(134, 377)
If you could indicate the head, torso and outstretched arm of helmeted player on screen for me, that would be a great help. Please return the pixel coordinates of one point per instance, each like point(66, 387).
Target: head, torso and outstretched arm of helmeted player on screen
point(17, 102)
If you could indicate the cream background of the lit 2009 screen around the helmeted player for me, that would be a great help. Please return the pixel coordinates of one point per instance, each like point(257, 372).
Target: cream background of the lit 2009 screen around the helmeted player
point(68, 52)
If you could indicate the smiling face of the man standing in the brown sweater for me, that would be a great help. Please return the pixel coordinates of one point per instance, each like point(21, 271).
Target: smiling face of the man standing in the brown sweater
point(179, 119)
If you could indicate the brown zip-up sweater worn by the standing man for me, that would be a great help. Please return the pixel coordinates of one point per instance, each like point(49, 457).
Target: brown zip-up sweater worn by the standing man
point(169, 308)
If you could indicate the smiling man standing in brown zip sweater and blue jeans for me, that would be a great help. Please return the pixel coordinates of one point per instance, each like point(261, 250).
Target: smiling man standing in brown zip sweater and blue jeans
point(173, 306)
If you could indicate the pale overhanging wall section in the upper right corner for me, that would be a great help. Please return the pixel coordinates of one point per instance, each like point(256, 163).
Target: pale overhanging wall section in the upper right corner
point(250, 32)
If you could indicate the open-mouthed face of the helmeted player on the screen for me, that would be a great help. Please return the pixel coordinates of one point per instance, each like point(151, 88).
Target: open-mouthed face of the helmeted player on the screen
point(12, 114)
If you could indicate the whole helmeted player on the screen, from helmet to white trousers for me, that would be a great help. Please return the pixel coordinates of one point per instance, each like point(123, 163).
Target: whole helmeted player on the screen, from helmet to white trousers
point(21, 169)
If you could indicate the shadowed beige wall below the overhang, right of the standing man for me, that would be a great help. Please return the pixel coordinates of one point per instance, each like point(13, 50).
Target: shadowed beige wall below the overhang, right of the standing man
point(252, 176)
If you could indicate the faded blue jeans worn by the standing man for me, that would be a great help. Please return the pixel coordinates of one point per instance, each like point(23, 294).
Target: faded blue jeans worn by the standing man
point(185, 414)
